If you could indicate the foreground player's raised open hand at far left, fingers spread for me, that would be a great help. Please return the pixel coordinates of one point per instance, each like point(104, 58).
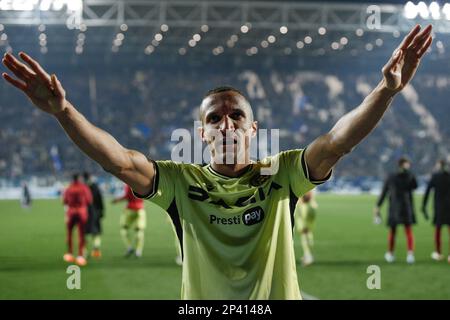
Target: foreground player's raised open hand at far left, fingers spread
point(44, 91)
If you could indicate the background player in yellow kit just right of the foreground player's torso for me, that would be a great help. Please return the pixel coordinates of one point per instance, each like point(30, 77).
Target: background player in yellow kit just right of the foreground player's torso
point(305, 217)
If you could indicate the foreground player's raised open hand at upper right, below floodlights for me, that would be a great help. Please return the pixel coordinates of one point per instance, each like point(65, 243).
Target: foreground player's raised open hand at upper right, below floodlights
point(406, 58)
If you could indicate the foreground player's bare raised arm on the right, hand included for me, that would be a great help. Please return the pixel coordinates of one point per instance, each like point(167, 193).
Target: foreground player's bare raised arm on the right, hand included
point(324, 152)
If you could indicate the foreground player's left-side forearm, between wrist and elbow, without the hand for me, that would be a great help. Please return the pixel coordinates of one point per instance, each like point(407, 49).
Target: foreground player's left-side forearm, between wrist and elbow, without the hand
point(96, 143)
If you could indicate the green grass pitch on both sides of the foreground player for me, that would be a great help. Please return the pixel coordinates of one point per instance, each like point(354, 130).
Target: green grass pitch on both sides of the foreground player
point(32, 243)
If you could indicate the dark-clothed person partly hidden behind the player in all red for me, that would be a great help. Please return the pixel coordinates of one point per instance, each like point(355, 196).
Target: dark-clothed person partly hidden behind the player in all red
point(96, 210)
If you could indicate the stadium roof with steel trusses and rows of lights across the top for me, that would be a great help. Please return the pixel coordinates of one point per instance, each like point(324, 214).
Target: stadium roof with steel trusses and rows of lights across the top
point(125, 28)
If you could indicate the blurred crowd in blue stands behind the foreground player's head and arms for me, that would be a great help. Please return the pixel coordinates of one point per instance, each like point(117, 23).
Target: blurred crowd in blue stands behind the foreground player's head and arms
point(142, 107)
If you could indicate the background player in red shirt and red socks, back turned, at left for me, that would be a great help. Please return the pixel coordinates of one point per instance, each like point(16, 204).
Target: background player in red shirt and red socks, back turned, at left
point(77, 198)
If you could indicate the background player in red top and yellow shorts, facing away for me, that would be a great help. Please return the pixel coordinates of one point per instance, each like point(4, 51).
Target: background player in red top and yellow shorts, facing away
point(132, 219)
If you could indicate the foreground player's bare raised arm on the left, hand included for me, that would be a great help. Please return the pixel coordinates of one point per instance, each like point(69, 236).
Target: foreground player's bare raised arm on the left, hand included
point(47, 93)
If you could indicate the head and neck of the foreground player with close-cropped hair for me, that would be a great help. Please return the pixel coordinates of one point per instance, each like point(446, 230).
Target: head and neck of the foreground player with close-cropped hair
point(227, 127)
